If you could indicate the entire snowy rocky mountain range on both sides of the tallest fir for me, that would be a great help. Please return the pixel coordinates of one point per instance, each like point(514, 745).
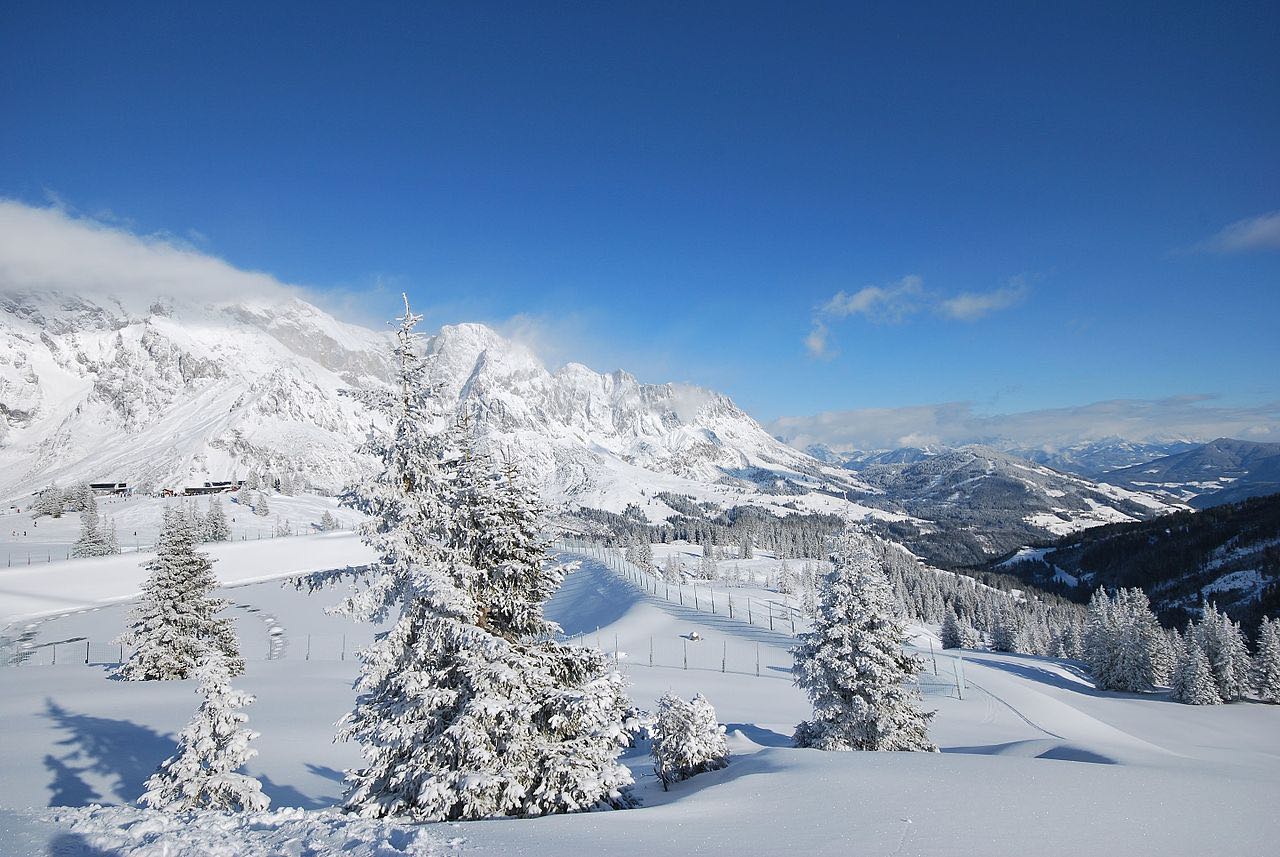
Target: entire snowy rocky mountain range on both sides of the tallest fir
point(172, 393)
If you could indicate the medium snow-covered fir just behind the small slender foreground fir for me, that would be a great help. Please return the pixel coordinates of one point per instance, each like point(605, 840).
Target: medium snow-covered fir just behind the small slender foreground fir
point(176, 624)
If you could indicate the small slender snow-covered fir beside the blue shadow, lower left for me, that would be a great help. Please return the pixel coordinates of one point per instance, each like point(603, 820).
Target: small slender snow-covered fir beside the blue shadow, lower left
point(204, 774)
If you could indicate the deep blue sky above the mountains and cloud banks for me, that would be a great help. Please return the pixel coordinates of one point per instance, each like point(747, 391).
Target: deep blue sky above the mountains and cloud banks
point(1052, 207)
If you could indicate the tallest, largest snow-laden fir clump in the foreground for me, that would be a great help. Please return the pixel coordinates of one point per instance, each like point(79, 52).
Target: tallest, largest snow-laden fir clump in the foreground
point(465, 711)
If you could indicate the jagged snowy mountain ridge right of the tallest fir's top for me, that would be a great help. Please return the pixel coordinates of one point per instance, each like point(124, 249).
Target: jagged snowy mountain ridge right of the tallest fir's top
point(606, 441)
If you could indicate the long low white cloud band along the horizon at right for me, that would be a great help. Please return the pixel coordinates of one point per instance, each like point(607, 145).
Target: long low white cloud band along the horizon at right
point(1187, 418)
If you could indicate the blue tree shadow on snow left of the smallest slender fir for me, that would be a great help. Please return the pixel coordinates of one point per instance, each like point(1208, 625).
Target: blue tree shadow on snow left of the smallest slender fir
point(106, 748)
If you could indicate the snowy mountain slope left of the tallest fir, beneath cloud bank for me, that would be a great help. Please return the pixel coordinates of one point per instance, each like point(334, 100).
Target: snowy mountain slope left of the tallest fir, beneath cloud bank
point(168, 393)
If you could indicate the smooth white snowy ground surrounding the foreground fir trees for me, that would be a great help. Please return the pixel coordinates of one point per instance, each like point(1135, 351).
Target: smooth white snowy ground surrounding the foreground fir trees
point(1035, 759)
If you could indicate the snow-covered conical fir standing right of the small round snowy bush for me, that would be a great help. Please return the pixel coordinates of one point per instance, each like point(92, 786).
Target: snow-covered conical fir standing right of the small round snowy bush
point(852, 664)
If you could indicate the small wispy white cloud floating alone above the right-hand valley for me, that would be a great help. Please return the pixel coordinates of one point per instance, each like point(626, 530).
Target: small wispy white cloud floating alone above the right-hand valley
point(902, 300)
